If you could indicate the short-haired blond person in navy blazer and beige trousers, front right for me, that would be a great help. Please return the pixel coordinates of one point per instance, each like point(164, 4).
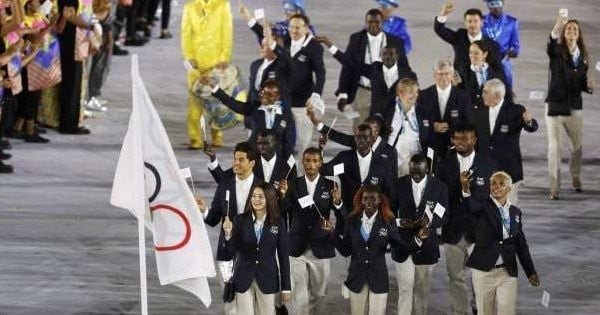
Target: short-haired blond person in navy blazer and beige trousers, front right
point(499, 240)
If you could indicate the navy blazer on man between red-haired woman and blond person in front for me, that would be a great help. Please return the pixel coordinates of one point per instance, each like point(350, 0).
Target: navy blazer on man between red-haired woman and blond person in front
point(435, 192)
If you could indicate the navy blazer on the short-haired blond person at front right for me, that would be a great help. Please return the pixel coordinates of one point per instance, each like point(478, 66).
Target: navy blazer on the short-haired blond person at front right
point(489, 242)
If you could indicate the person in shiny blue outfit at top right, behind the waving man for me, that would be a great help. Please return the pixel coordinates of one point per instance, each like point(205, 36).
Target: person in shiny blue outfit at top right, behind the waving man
point(504, 30)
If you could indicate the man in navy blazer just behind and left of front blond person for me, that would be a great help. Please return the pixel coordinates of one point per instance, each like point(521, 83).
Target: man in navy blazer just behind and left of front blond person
point(457, 230)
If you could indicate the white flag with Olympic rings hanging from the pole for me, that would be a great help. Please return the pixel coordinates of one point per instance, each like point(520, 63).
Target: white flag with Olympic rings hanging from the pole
point(147, 182)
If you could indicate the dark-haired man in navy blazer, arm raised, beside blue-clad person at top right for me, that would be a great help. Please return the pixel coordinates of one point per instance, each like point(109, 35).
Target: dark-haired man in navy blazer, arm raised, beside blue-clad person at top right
point(462, 38)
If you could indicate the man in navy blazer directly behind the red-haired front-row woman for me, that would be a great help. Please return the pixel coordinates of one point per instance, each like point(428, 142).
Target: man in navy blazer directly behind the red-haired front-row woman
point(358, 167)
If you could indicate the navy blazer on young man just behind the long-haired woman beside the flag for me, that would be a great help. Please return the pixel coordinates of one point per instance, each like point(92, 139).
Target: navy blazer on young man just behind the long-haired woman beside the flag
point(220, 208)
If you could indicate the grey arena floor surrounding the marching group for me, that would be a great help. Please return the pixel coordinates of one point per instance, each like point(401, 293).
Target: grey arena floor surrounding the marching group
point(65, 250)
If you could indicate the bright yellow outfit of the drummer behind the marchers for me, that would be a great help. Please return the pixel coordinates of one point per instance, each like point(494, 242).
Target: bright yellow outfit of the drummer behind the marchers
point(207, 39)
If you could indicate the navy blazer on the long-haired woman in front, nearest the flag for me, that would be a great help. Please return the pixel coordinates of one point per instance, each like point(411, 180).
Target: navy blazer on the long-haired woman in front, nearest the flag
point(259, 260)
